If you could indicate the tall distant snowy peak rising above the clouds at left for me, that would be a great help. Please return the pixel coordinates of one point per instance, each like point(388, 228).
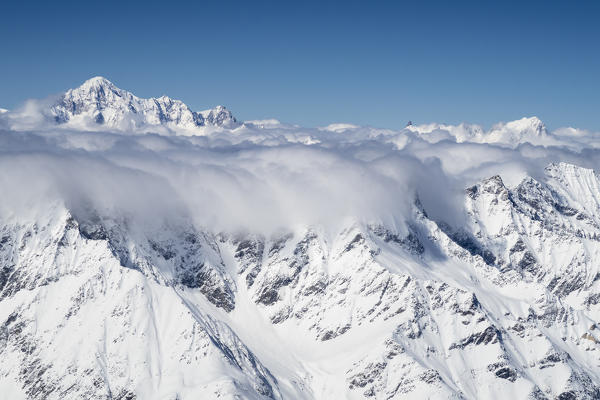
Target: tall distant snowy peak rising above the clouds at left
point(98, 104)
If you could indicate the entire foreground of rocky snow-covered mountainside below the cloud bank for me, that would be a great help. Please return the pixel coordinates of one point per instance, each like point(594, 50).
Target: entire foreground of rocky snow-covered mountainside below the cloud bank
point(91, 306)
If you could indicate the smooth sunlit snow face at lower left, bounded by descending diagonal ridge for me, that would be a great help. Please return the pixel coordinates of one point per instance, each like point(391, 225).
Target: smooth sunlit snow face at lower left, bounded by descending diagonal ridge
point(83, 319)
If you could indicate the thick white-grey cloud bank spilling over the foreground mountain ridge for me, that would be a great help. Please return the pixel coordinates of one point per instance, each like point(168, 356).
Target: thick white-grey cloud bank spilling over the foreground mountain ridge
point(271, 176)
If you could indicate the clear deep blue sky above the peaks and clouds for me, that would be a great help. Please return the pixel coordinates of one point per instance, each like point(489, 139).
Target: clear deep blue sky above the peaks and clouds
point(314, 63)
